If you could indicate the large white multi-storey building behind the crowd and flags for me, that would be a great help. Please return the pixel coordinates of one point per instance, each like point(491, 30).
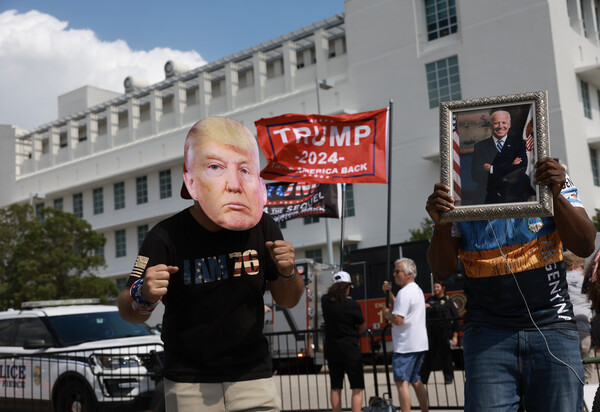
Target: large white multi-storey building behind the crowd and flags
point(115, 159)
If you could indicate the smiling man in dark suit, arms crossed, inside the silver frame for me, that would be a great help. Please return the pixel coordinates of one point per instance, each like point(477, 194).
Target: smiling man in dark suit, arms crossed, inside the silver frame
point(499, 164)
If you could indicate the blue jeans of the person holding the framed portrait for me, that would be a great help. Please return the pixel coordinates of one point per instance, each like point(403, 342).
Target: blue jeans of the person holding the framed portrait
point(503, 365)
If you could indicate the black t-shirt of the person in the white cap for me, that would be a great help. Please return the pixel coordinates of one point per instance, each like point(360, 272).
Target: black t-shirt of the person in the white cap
point(341, 335)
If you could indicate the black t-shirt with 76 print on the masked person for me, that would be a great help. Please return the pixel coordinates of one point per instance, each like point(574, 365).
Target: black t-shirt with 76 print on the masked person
point(214, 309)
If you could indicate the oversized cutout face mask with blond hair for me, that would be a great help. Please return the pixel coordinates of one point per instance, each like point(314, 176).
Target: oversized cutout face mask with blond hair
point(221, 172)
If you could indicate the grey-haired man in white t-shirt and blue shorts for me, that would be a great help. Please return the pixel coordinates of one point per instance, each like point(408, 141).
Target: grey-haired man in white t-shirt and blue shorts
point(409, 333)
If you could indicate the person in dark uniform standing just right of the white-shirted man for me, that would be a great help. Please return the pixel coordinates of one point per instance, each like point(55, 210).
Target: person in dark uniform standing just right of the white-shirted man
point(442, 331)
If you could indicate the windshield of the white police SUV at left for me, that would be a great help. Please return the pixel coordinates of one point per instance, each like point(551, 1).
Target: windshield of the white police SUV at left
point(84, 327)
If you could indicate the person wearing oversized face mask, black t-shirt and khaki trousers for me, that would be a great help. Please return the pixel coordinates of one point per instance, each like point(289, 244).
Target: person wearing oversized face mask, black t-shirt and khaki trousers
point(210, 264)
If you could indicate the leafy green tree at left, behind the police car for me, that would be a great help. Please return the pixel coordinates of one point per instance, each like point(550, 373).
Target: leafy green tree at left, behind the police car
point(49, 256)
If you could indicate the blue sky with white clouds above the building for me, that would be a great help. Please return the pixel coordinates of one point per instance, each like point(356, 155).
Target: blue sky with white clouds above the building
point(67, 44)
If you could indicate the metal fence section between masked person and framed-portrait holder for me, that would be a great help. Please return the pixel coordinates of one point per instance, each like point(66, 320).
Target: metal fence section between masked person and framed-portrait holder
point(302, 375)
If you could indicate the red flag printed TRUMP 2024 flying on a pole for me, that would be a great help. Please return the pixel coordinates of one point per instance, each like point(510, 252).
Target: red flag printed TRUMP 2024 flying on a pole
point(348, 148)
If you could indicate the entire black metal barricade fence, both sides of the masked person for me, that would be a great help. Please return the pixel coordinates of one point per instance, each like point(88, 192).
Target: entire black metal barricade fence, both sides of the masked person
point(125, 378)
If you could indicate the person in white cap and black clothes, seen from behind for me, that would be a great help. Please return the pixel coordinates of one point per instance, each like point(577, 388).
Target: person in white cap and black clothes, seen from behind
point(344, 323)
